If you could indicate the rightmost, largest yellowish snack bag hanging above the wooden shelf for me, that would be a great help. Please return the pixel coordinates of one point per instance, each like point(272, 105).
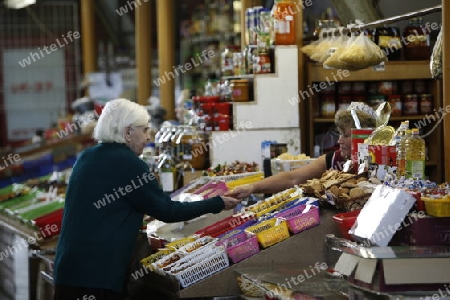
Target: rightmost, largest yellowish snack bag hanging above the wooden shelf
point(363, 53)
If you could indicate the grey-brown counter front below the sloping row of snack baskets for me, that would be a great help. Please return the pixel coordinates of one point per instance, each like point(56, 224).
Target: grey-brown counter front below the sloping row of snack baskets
point(303, 249)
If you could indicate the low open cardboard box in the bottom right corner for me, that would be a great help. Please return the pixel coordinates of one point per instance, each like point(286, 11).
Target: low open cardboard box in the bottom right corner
point(397, 269)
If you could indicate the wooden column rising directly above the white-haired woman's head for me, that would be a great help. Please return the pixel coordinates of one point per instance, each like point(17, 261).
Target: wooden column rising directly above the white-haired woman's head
point(143, 52)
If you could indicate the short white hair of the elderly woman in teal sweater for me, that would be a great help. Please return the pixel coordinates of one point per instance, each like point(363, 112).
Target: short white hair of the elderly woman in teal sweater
point(116, 116)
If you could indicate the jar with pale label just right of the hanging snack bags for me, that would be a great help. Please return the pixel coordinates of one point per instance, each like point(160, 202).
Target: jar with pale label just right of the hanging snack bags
point(389, 40)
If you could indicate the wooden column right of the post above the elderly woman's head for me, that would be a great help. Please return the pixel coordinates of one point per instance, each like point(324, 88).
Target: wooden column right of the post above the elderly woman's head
point(166, 54)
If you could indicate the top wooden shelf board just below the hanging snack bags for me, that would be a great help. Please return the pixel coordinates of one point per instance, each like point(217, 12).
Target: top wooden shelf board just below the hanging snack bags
point(394, 70)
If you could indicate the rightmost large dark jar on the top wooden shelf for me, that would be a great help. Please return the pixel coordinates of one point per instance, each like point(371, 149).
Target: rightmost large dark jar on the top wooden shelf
point(417, 40)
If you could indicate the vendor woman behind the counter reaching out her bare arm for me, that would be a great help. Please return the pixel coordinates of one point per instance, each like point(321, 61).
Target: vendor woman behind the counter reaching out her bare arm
point(333, 160)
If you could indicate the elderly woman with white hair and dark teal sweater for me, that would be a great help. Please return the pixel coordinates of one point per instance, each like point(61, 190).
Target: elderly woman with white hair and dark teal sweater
point(109, 192)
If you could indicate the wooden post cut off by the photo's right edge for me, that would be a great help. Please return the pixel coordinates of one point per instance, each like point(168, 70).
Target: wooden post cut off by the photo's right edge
point(446, 85)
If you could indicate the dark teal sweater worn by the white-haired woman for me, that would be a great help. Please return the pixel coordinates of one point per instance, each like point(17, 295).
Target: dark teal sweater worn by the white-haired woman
point(106, 199)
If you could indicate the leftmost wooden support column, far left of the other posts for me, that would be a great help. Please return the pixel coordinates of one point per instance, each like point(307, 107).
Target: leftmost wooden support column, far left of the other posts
point(88, 41)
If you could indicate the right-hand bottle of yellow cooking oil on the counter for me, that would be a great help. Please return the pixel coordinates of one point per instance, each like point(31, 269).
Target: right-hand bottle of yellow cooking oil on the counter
point(415, 155)
